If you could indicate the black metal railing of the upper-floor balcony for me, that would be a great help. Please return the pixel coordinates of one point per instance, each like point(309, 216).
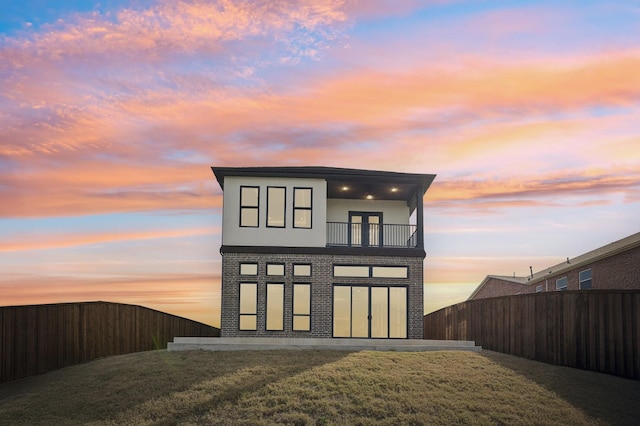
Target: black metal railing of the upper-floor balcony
point(344, 234)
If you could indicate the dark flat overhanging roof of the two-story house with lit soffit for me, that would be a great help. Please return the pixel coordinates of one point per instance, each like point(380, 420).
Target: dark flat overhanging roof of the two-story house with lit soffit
point(380, 184)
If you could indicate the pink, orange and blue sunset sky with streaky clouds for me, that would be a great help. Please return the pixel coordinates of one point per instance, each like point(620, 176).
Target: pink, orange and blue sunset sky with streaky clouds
point(113, 111)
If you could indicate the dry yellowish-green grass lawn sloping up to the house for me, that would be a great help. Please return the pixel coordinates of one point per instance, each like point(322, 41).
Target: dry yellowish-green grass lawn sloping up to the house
point(317, 388)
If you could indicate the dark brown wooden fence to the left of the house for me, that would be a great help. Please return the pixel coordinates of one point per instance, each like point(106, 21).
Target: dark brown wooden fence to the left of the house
point(40, 338)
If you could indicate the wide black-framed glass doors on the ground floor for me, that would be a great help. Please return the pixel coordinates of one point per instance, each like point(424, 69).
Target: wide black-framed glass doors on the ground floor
point(377, 312)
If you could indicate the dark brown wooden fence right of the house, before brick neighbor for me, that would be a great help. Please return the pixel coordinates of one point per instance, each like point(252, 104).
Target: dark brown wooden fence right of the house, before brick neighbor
point(596, 330)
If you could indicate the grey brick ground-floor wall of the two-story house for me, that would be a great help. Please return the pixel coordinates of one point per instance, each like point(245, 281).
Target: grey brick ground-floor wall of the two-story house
point(322, 281)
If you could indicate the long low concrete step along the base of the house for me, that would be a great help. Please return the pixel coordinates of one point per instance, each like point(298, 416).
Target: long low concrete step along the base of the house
point(269, 343)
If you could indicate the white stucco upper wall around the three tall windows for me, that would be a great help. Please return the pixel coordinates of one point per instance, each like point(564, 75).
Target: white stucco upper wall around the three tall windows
point(233, 234)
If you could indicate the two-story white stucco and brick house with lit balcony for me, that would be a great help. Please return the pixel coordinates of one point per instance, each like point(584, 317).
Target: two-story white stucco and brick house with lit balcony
point(322, 252)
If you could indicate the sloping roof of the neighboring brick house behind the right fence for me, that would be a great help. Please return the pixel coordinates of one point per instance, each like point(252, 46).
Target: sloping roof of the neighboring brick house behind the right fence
point(603, 252)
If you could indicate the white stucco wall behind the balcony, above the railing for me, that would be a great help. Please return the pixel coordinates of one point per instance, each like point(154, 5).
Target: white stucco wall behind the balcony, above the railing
point(393, 212)
